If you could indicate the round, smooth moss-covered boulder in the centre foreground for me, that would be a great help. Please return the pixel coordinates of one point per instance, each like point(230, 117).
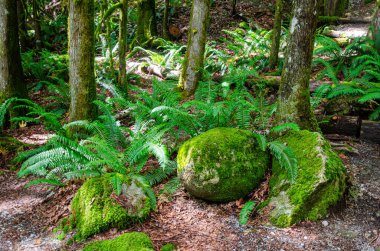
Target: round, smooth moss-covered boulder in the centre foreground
point(222, 164)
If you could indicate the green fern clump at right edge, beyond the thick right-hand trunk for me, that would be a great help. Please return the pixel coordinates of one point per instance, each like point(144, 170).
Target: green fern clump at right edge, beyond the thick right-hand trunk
point(358, 65)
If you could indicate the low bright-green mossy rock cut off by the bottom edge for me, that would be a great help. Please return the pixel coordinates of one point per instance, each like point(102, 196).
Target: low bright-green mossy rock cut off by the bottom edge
point(134, 241)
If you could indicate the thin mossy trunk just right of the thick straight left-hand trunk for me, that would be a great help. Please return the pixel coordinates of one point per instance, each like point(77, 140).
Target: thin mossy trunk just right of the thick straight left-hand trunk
point(122, 80)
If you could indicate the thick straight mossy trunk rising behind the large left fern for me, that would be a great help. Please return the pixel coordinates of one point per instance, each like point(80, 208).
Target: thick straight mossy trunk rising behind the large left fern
point(81, 54)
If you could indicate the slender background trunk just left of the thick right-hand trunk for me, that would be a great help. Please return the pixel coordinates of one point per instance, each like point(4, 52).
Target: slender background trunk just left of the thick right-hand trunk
point(276, 35)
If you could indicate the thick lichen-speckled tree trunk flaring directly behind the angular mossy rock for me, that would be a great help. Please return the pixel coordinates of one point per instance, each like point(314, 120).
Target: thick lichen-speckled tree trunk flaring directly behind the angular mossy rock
point(294, 95)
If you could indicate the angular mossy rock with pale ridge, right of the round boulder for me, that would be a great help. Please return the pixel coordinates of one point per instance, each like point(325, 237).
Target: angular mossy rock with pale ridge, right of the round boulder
point(320, 182)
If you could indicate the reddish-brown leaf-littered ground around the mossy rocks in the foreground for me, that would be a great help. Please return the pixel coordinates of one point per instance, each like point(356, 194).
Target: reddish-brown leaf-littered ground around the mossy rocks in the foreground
point(28, 216)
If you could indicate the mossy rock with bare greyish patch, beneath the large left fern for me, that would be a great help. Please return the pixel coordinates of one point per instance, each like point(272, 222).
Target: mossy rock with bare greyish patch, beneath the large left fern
point(94, 207)
